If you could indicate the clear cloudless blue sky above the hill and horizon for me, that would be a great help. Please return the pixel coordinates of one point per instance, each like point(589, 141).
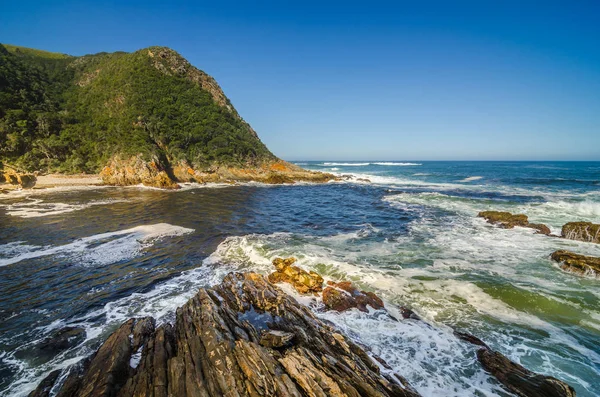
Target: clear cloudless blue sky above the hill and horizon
point(404, 80)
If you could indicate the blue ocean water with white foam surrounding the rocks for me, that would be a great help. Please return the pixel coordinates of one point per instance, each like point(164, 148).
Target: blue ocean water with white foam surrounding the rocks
point(92, 257)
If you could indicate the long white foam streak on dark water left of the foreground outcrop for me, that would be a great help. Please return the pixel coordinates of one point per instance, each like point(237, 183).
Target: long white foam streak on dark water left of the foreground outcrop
point(100, 249)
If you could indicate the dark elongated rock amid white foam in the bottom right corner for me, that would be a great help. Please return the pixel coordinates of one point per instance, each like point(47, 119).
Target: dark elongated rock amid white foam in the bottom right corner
point(519, 379)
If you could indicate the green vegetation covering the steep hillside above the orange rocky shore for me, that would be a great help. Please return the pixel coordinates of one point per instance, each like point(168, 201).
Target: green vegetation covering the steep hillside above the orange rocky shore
point(60, 113)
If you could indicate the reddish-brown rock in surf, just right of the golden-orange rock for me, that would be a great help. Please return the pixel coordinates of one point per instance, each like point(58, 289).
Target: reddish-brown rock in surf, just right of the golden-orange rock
point(344, 295)
